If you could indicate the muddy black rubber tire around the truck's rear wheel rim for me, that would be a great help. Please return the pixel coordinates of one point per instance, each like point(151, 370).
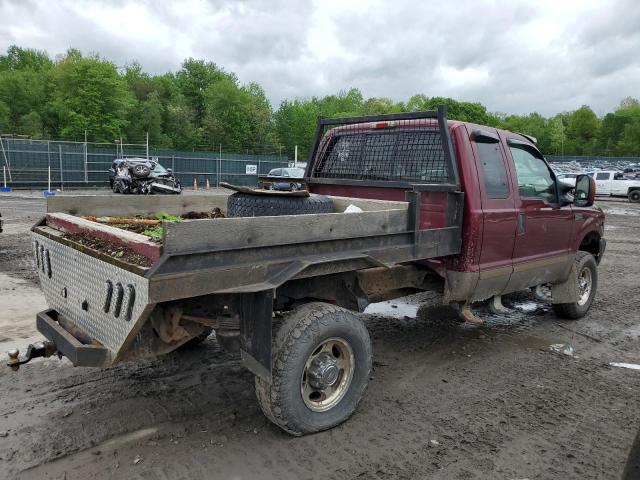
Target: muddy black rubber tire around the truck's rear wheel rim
point(300, 334)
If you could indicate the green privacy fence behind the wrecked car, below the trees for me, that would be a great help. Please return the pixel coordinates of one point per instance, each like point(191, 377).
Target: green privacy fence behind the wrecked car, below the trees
point(29, 163)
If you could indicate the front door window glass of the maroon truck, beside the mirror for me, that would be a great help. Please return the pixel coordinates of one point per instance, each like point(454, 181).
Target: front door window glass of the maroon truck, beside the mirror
point(534, 177)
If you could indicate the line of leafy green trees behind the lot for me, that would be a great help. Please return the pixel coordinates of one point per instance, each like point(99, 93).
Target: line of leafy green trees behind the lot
point(204, 107)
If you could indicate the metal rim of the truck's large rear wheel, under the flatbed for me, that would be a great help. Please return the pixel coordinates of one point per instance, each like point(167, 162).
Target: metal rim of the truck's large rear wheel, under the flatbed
point(327, 374)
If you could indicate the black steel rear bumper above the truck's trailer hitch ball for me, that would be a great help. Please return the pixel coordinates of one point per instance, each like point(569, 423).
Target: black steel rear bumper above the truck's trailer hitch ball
point(79, 354)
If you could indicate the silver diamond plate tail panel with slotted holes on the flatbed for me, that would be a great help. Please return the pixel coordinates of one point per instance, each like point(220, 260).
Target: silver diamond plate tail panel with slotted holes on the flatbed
point(103, 300)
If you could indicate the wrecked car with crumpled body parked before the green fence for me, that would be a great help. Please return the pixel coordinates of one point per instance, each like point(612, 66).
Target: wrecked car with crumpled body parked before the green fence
point(141, 175)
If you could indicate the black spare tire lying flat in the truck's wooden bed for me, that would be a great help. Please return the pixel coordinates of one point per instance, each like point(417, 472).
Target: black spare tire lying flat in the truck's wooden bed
point(246, 205)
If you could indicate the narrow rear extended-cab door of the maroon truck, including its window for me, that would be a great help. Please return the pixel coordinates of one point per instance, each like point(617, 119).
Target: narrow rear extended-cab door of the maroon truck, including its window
point(498, 199)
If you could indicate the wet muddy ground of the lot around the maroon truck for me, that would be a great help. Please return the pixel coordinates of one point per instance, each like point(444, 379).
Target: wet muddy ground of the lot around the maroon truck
point(446, 401)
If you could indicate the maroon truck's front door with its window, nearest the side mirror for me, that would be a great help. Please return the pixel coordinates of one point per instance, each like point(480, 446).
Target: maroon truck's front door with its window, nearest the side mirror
point(542, 249)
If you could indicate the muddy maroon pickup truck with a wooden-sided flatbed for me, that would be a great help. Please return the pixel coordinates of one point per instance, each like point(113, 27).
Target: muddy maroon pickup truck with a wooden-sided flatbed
point(397, 204)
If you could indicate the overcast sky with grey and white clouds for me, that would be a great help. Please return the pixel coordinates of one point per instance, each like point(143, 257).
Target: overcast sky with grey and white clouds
point(514, 56)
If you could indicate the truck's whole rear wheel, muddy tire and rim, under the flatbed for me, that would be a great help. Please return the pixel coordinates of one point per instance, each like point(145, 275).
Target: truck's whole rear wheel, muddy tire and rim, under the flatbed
point(322, 358)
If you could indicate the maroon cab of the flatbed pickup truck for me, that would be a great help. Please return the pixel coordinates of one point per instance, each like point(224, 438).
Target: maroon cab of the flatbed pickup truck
point(520, 226)
